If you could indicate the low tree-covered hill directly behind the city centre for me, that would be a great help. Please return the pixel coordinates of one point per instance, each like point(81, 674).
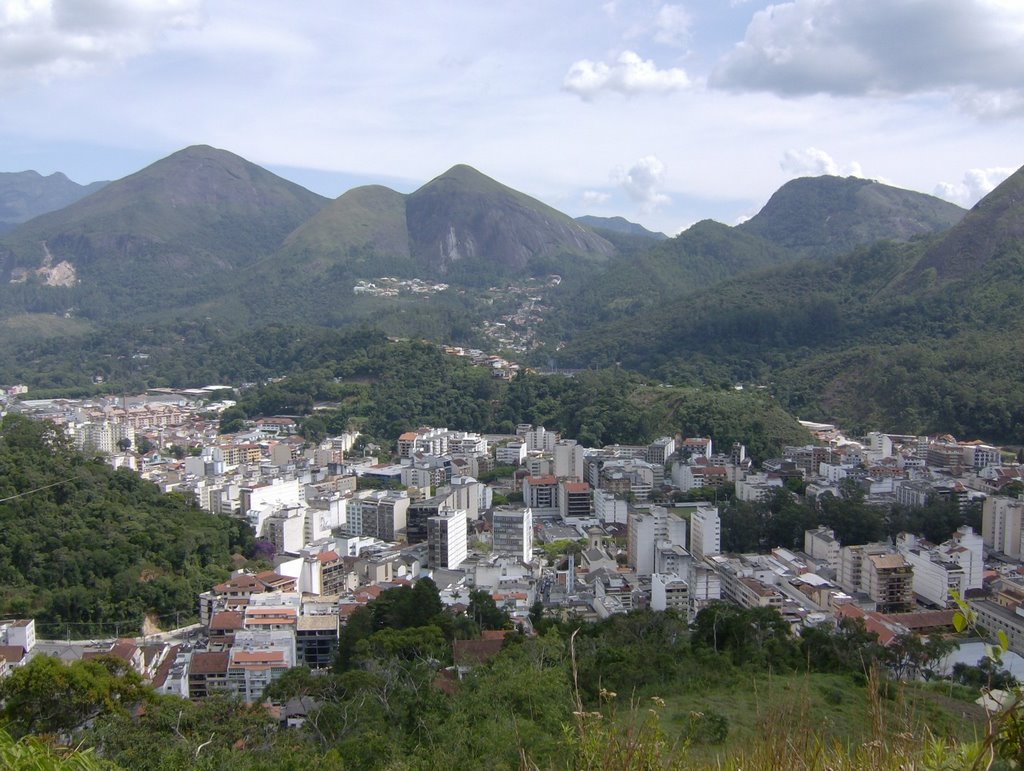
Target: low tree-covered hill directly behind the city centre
point(404, 385)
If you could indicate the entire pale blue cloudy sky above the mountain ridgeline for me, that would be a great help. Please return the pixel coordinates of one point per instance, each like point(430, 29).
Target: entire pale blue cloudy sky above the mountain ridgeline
point(663, 113)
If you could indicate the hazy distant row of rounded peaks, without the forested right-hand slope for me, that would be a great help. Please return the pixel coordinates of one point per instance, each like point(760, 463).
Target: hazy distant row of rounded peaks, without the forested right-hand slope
point(204, 225)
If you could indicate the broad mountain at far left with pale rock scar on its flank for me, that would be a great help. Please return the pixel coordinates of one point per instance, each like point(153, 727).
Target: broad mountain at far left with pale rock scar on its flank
point(161, 239)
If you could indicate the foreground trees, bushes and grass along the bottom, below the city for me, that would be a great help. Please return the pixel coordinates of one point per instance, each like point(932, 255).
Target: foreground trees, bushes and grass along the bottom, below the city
point(633, 692)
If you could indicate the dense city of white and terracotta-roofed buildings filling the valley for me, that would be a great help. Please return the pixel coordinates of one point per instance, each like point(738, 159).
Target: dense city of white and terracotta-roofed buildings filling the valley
point(546, 528)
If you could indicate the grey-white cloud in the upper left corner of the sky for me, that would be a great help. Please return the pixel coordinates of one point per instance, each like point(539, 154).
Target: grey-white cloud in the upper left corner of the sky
point(51, 38)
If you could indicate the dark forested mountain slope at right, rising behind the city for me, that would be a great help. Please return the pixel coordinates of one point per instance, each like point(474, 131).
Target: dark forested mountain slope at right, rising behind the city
point(850, 344)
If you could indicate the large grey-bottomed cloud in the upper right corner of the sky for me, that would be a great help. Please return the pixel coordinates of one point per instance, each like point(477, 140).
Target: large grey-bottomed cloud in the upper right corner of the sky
point(900, 47)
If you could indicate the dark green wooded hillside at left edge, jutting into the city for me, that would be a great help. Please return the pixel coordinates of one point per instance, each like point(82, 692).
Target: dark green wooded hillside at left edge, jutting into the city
point(89, 550)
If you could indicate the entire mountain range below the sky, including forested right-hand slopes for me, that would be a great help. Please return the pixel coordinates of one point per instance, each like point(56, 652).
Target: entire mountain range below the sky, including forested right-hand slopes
point(849, 298)
